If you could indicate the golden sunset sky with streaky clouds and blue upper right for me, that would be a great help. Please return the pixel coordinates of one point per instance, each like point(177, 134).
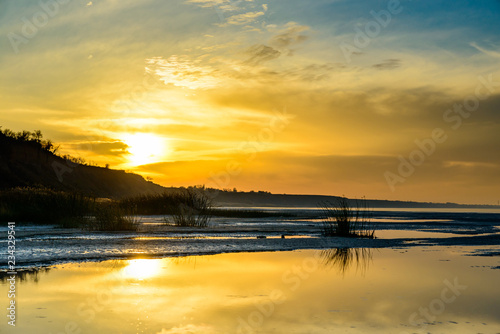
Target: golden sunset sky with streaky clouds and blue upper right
point(389, 99)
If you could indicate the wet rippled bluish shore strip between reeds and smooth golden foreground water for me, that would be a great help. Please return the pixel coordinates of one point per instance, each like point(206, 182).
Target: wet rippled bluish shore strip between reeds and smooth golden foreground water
point(44, 245)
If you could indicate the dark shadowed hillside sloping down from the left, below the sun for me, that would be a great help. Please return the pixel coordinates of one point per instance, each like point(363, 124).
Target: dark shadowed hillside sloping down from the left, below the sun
point(28, 161)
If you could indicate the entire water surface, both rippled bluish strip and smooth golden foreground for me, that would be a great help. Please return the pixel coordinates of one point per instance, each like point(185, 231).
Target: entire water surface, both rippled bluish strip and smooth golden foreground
point(428, 271)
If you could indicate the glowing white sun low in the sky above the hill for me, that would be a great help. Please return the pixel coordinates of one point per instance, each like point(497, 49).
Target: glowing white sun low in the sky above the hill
point(145, 148)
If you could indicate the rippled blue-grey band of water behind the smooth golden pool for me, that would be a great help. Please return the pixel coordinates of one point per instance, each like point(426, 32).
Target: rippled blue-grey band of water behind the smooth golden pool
point(48, 245)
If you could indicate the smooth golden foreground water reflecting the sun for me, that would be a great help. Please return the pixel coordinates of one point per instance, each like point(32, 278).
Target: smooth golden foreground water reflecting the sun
point(313, 291)
